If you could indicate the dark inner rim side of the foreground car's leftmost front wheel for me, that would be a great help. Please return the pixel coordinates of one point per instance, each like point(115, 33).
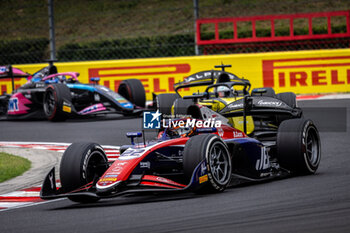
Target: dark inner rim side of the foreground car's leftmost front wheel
point(96, 166)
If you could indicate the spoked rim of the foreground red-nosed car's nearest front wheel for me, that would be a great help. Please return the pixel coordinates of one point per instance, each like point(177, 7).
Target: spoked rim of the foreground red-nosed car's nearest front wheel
point(219, 163)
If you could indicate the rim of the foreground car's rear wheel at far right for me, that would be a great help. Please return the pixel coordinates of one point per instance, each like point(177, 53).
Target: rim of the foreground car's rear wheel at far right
point(312, 146)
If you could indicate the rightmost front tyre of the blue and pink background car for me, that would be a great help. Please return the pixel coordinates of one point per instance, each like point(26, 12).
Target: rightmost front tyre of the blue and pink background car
point(133, 90)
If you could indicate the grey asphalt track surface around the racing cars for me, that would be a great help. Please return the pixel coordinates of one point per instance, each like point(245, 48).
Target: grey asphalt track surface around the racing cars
point(316, 203)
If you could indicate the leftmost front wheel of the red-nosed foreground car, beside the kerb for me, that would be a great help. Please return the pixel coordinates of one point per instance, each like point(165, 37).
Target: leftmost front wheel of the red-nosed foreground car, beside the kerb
point(81, 164)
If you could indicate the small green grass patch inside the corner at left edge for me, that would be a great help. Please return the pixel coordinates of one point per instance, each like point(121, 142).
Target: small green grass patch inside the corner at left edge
point(12, 166)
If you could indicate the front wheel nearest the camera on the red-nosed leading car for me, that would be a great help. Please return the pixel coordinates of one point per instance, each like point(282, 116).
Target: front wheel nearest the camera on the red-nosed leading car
point(213, 150)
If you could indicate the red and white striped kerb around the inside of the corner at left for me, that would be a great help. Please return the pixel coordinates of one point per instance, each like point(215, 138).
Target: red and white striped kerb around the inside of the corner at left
point(31, 196)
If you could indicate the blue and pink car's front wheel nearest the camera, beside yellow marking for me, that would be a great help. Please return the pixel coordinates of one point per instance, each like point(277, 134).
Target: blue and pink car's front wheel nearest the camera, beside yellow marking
point(57, 102)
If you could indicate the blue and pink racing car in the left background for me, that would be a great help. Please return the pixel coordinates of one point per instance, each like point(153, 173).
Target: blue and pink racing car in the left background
point(58, 96)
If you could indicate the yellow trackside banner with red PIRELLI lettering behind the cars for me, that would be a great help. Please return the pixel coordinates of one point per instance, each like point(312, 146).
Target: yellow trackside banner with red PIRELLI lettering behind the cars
point(302, 72)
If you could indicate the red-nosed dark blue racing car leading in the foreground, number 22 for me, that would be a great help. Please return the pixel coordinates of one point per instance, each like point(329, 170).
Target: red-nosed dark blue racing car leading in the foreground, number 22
point(199, 155)
